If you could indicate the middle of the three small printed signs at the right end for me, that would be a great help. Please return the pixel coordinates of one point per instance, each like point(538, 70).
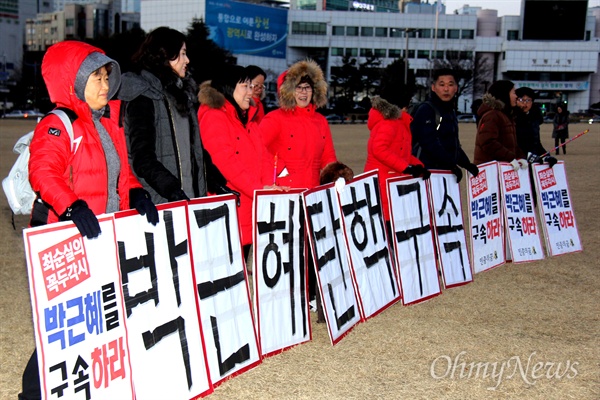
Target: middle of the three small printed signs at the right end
point(523, 237)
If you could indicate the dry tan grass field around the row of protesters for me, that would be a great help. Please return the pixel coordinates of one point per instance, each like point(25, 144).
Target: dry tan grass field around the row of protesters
point(536, 326)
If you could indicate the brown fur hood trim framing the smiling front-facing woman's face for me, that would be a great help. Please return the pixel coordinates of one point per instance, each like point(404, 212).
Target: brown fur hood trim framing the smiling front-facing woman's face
point(288, 80)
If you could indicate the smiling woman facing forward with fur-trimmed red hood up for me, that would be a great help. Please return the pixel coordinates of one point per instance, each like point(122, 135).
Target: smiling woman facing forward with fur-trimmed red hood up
point(296, 134)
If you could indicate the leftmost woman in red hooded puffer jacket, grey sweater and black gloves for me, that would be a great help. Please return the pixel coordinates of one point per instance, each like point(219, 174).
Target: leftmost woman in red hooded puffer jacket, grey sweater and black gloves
point(90, 176)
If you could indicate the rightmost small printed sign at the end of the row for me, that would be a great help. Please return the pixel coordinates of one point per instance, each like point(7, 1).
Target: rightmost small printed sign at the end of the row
point(556, 209)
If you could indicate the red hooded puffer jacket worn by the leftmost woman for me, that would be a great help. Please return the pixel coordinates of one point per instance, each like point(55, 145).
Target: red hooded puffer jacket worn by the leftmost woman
point(60, 176)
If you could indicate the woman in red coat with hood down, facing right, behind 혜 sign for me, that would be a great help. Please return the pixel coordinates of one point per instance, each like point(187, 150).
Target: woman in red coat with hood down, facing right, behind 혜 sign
point(233, 140)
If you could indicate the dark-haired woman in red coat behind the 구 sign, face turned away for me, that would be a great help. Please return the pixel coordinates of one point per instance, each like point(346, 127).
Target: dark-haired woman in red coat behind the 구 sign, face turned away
point(390, 144)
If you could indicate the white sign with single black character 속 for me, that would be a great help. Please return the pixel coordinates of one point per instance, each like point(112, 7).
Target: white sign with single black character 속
point(450, 236)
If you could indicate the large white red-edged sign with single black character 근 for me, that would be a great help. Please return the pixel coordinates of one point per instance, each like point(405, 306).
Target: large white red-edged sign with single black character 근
point(223, 292)
